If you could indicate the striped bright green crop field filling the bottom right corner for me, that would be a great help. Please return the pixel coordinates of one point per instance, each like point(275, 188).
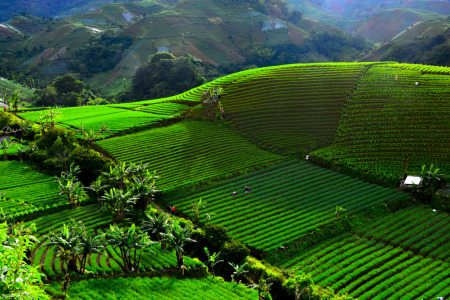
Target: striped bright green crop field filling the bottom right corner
point(401, 256)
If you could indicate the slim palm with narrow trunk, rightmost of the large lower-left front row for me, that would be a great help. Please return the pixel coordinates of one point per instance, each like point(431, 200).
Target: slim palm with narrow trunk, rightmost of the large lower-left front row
point(176, 237)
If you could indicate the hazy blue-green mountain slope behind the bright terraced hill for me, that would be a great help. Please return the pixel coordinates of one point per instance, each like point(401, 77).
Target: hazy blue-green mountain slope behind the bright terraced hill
point(120, 37)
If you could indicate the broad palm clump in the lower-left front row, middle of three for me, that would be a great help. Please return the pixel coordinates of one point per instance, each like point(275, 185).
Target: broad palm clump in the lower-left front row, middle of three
point(131, 244)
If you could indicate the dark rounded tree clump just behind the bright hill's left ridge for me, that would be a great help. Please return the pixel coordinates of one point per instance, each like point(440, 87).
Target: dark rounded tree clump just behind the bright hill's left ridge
point(163, 77)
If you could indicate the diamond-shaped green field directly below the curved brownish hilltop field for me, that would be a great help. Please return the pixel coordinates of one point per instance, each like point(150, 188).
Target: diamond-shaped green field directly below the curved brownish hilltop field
point(189, 152)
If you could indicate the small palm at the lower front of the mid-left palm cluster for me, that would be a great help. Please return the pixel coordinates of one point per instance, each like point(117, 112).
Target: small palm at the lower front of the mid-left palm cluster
point(116, 202)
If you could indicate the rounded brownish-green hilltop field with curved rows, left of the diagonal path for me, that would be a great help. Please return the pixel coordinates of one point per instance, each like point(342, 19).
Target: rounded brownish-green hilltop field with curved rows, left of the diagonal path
point(302, 103)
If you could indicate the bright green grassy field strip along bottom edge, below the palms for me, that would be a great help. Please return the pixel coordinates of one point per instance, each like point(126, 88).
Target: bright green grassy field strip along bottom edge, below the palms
point(155, 288)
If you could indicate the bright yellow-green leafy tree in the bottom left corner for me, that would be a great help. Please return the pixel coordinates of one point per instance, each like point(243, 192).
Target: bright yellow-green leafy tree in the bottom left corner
point(18, 280)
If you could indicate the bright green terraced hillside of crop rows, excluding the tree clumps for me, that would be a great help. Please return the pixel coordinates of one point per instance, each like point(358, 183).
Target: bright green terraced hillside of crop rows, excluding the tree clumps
point(299, 163)
